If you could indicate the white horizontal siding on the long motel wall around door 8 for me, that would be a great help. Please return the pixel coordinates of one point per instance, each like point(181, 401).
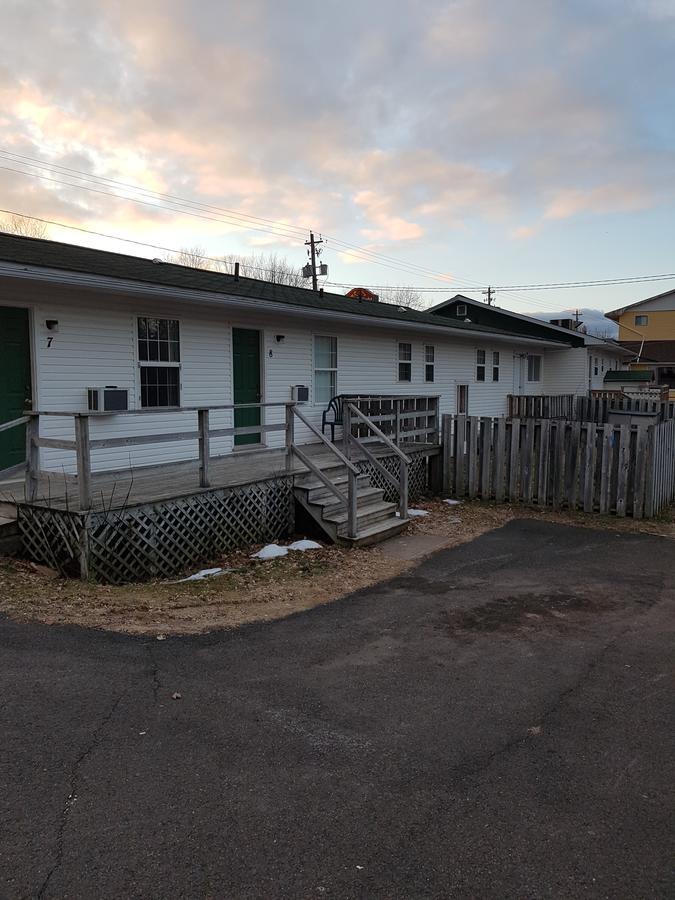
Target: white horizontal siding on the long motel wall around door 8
point(96, 345)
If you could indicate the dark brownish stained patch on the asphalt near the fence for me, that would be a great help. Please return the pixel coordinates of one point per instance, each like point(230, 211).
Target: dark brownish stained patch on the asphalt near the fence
point(531, 610)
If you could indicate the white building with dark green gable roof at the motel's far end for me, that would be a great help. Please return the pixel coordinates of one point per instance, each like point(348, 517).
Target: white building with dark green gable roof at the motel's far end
point(575, 369)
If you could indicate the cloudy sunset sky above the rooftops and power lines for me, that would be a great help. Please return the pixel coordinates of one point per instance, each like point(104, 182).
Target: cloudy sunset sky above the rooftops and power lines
point(511, 142)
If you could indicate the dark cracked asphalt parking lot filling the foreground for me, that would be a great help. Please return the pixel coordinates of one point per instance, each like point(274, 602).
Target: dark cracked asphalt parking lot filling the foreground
point(498, 722)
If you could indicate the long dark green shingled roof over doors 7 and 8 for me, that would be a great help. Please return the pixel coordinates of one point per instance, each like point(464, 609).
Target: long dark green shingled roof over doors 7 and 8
point(73, 258)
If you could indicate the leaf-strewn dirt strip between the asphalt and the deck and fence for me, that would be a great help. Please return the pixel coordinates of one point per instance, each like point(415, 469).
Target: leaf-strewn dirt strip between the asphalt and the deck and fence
point(256, 591)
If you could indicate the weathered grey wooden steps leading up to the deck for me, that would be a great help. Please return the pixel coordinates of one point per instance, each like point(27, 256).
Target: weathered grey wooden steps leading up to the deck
point(376, 518)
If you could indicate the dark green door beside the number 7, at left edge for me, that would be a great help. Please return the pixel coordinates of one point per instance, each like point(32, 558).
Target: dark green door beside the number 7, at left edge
point(15, 382)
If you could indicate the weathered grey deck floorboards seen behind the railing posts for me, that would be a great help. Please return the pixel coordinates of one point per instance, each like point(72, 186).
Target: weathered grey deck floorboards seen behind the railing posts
point(117, 490)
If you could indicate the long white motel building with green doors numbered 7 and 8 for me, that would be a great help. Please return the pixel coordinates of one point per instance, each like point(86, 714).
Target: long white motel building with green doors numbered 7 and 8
point(167, 336)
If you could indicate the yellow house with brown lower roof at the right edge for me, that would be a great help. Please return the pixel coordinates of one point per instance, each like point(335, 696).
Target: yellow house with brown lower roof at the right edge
point(647, 329)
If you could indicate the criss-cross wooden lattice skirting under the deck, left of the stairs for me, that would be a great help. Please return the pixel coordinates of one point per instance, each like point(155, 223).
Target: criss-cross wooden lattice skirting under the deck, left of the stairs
point(158, 539)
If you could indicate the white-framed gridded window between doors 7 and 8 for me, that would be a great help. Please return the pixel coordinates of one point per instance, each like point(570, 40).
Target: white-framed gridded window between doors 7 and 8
point(159, 362)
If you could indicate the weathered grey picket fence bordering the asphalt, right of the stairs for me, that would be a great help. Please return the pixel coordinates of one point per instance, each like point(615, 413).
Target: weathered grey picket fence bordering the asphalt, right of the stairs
point(620, 469)
